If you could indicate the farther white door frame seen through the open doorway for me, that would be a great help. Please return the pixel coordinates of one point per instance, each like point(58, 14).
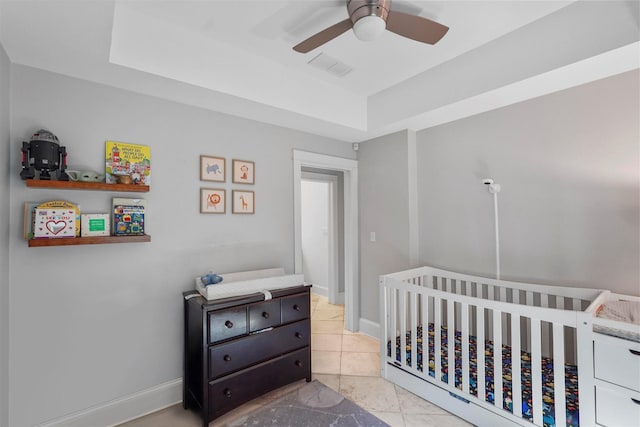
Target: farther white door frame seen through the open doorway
point(332, 232)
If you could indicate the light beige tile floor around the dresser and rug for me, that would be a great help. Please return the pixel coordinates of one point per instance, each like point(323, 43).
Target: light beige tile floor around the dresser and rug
point(347, 362)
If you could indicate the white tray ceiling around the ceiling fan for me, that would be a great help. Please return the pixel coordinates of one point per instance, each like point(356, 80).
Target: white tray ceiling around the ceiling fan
point(236, 57)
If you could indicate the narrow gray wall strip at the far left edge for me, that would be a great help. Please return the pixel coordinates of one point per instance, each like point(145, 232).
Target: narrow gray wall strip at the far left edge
point(4, 236)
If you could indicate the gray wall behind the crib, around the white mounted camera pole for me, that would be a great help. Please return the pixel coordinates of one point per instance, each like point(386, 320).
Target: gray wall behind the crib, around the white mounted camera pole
point(569, 206)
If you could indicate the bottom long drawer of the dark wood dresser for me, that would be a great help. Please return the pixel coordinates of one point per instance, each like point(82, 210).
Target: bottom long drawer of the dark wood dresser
point(235, 389)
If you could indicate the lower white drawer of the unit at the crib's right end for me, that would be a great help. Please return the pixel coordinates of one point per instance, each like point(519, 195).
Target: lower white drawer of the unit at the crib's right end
point(616, 406)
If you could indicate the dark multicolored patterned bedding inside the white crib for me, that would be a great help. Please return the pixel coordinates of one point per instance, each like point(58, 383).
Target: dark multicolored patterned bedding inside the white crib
point(571, 374)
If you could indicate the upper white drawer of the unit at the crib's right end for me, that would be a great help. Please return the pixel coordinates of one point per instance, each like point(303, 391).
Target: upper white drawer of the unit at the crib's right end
point(617, 361)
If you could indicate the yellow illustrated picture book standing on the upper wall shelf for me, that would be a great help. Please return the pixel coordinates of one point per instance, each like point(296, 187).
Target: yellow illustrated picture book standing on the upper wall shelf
point(132, 160)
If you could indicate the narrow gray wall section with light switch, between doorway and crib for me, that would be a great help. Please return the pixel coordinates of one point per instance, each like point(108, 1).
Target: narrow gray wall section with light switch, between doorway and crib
point(383, 208)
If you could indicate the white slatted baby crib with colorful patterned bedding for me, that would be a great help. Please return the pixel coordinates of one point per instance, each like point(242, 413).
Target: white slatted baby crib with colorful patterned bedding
point(551, 327)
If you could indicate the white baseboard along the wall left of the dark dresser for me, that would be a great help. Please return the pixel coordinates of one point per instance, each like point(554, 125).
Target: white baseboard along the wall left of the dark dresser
point(123, 409)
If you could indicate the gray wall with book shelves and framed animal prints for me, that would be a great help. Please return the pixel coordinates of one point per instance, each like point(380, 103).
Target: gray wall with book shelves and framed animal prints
point(94, 323)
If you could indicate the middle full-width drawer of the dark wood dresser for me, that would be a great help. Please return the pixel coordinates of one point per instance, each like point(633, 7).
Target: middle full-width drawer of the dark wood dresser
point(247, 351)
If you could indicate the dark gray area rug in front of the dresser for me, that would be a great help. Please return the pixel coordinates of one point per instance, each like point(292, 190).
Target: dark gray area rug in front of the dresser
point(312, 405)
